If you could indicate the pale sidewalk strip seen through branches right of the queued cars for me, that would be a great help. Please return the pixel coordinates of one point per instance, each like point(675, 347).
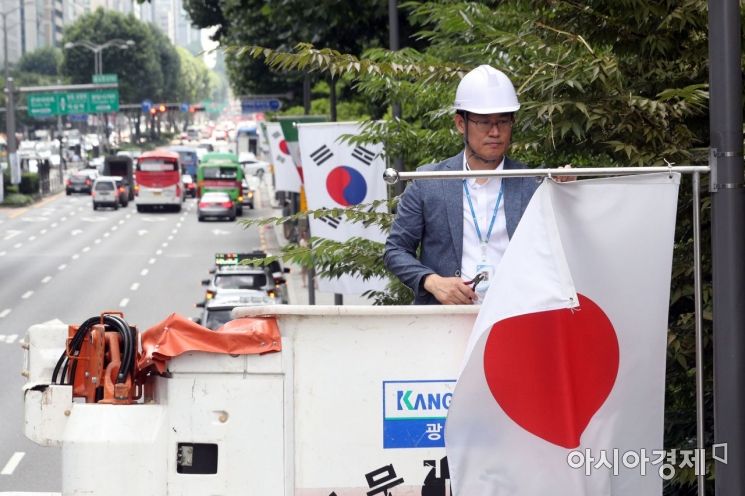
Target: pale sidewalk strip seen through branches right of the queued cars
point(272, 239)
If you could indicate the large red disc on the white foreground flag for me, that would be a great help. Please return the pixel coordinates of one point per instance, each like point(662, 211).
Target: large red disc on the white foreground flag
point(551, 371)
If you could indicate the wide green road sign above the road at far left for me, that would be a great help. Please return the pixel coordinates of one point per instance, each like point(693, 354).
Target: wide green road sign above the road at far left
point(72, 102)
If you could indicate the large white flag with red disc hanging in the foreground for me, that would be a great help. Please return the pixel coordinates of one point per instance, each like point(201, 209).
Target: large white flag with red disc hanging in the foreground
point(564, 378)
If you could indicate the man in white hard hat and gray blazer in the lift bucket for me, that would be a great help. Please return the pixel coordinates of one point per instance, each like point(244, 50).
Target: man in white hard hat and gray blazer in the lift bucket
point(463, 226)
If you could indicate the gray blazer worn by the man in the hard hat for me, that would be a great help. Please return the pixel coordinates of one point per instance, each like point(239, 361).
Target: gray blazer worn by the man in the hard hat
point(430, 217)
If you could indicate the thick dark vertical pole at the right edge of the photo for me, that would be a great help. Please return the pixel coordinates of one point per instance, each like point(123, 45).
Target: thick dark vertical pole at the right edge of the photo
point(728, 241)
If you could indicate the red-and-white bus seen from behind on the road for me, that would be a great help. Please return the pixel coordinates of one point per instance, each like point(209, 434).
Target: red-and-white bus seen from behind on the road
point(158, 180)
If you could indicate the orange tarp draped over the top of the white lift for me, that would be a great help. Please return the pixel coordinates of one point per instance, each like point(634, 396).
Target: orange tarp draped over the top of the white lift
point(176, 335)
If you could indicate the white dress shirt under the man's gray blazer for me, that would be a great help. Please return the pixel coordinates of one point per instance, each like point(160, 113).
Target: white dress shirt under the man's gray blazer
point(484, 197)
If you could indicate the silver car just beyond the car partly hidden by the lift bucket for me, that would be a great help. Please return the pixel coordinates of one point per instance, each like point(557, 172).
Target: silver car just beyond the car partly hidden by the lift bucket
point(233, 279)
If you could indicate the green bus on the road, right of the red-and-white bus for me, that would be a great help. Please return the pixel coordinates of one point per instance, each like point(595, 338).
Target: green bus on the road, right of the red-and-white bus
point(221, 171)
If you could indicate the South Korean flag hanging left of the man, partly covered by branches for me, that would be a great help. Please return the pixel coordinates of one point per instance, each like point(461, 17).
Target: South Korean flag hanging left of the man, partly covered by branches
point(337, 175)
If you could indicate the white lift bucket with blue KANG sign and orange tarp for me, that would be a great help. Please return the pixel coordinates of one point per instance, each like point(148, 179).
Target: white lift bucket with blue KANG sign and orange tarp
point(282, 400)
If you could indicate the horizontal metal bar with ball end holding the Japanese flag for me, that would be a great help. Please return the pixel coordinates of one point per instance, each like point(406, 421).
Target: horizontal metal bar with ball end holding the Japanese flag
point(392, 176)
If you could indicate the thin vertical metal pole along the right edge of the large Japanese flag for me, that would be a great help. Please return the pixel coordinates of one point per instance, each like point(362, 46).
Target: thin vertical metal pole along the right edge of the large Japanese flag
point(699, 328)
